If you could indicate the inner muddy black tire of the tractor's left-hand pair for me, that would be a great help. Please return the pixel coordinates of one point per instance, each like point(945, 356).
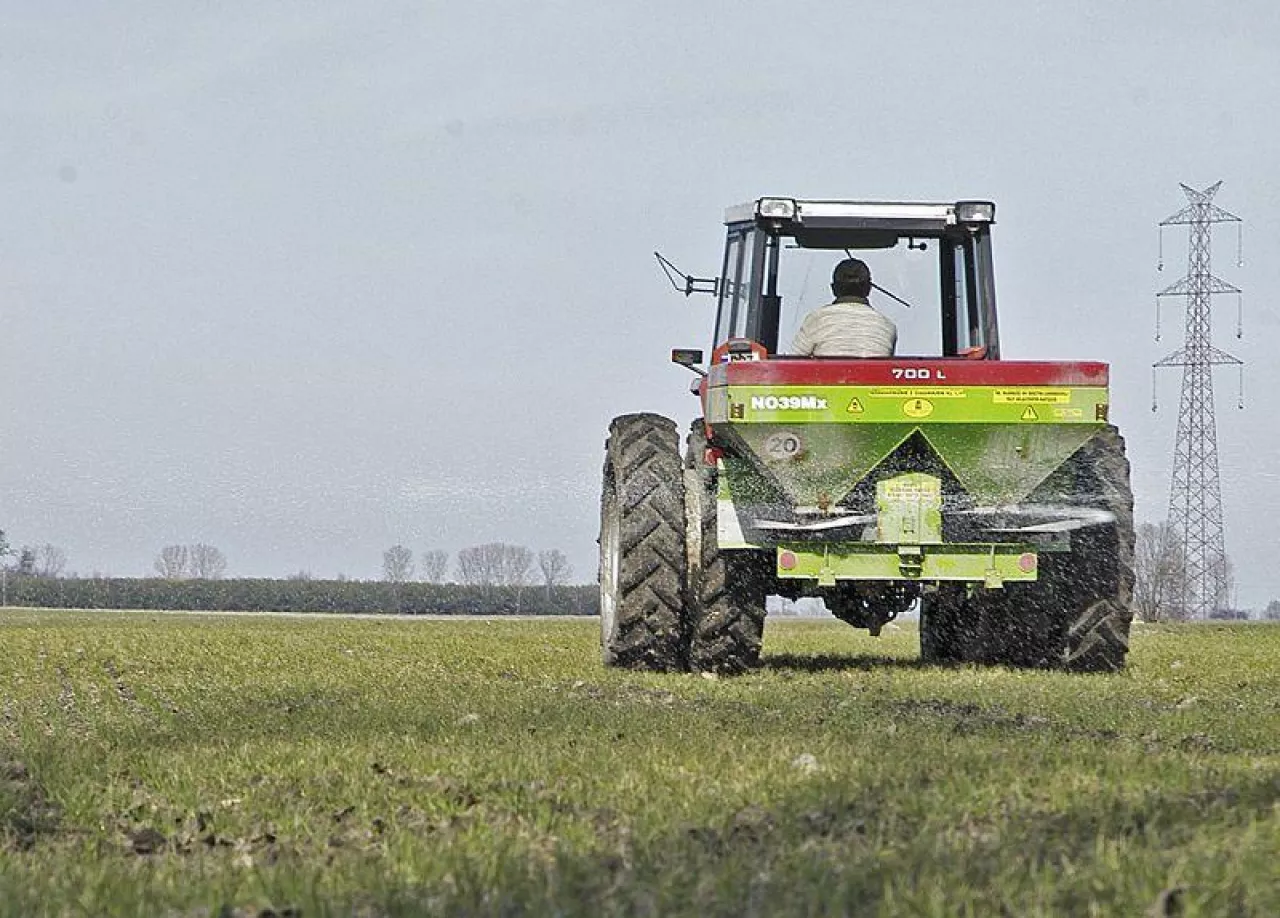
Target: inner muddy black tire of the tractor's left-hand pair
point(726, 588)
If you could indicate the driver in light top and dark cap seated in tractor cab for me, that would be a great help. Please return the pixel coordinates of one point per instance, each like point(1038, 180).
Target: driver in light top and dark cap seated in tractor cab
point(848, 327)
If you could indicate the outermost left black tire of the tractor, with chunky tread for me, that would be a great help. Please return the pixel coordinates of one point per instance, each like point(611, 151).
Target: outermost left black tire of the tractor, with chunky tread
point(643, 563)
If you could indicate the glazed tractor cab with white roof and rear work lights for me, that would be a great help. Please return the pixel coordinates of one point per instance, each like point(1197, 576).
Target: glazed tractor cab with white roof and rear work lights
point(931, 268)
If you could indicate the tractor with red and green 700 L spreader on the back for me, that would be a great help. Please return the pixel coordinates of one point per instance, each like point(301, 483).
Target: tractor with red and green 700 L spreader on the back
point(991, 496)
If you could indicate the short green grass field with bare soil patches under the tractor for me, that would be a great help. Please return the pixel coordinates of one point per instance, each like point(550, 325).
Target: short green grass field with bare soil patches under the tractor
point(204, 766)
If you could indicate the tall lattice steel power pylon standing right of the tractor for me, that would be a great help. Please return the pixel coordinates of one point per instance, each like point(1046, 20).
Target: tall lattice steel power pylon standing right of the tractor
point(1195, 494)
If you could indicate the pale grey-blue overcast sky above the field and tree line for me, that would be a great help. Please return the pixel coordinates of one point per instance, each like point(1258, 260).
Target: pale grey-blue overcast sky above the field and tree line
point(309, 280)
